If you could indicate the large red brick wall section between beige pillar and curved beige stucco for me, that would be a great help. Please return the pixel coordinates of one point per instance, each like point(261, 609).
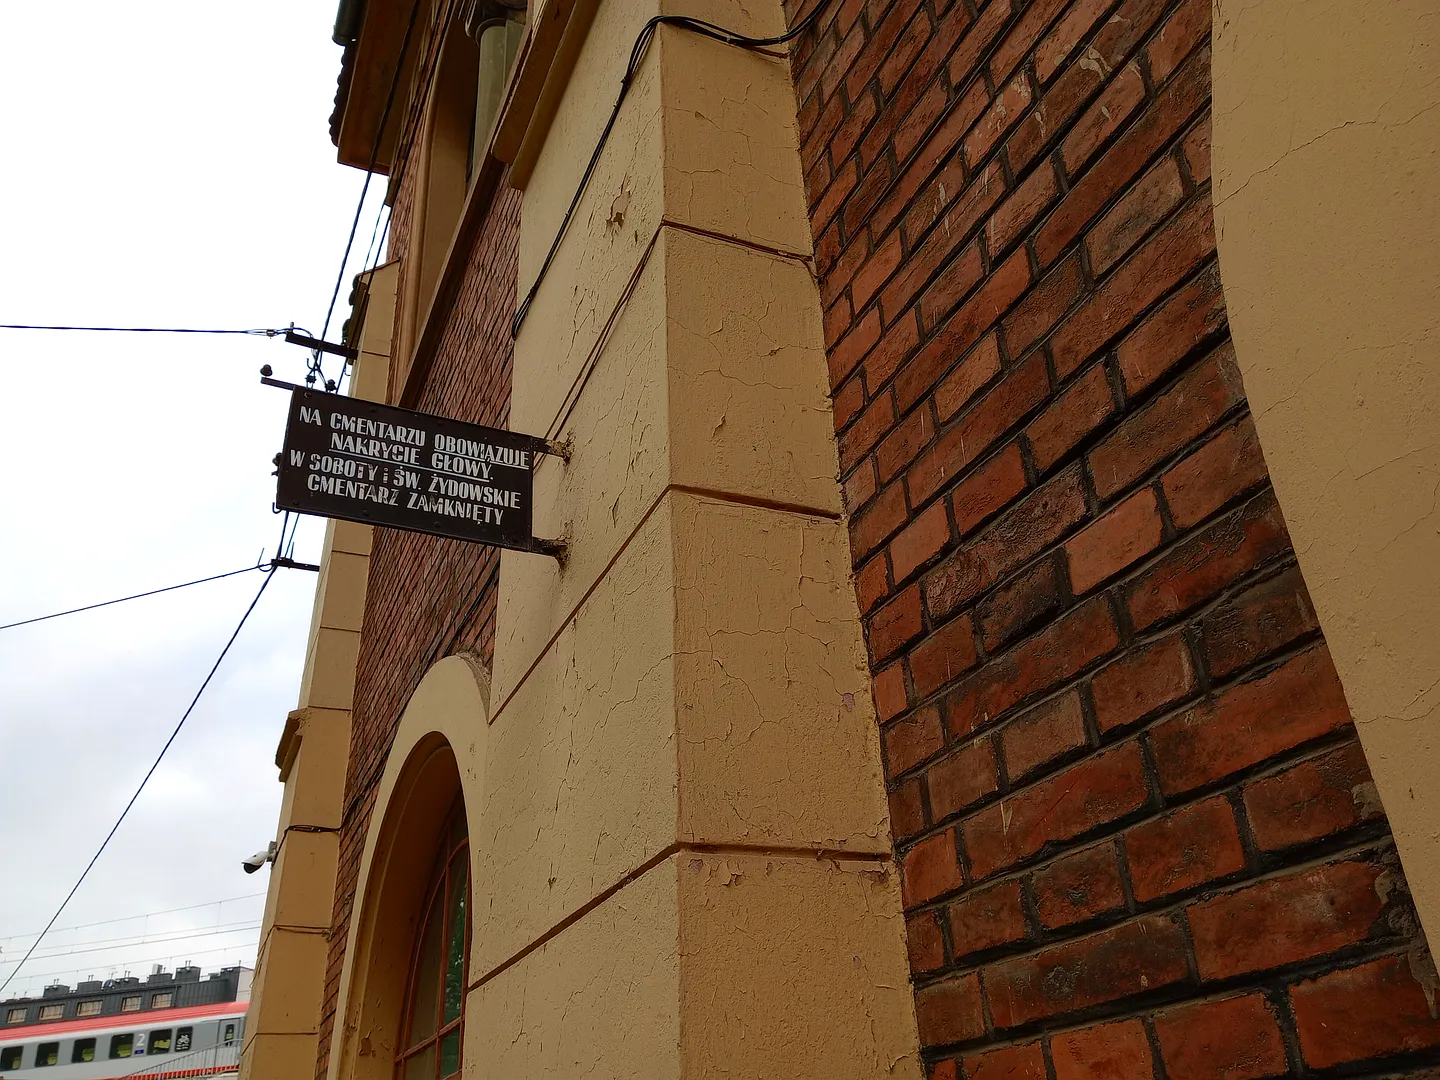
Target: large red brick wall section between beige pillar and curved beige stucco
point(1137, 830)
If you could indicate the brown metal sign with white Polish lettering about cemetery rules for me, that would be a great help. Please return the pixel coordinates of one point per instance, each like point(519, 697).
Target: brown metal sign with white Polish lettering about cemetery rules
point(371, 463)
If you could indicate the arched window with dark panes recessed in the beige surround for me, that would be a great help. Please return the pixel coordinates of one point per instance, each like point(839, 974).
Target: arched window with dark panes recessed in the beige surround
point(436, 1000)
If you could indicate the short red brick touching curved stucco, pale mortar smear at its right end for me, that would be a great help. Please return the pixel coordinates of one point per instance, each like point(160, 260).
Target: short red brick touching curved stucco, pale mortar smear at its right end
point(1315, 798)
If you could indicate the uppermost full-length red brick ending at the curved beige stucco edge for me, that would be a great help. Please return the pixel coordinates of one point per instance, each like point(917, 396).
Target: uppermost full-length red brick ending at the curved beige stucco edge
point(1187, 94)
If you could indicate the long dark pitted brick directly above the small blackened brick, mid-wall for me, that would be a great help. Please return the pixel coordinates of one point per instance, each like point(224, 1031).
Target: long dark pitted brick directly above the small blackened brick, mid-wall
point(1019, 535)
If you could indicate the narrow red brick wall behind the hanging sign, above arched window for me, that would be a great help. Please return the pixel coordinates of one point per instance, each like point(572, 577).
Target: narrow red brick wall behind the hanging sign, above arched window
point(428, 598)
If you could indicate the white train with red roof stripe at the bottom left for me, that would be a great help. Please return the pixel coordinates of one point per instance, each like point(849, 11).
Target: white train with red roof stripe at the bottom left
point(159, 1045)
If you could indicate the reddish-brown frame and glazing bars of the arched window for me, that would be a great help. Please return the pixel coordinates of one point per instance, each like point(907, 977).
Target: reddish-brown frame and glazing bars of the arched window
point(453, 845)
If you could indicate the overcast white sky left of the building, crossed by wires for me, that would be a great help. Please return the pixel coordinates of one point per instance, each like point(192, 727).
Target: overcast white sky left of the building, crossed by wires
point(163, 163)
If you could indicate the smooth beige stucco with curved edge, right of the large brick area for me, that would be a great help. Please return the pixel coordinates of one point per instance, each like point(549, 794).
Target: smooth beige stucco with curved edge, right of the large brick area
point(1327, 172)
